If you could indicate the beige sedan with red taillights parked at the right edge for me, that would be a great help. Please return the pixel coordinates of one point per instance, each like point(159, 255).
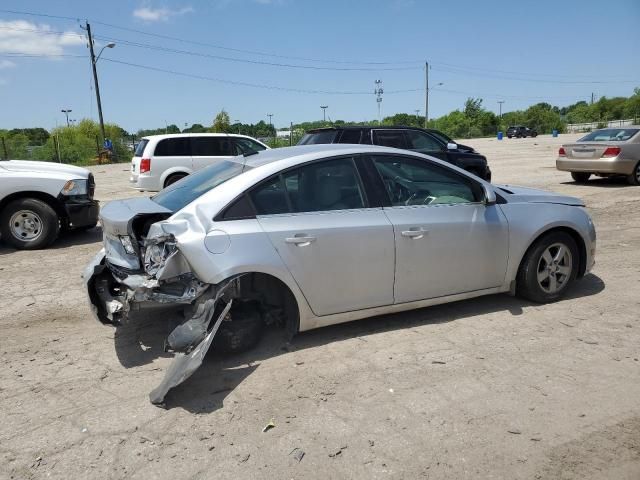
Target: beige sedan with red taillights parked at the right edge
point(607, 152)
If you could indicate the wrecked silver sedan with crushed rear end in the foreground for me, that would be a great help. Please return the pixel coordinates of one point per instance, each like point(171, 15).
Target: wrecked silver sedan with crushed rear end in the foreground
point(308, 236)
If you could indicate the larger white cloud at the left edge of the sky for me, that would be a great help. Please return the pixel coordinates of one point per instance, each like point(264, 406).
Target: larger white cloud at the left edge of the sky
point(21, 36)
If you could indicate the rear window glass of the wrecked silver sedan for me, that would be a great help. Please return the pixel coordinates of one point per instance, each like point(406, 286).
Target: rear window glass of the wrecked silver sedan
point(178, 195)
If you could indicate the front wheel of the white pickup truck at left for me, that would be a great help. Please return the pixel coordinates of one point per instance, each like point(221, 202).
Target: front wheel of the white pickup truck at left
point(29, 224)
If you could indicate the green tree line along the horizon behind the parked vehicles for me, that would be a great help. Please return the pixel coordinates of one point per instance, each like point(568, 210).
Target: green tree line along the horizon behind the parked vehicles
point(81, 143)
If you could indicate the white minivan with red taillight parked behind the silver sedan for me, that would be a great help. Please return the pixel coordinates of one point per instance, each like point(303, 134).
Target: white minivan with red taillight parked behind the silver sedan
point(160, 160)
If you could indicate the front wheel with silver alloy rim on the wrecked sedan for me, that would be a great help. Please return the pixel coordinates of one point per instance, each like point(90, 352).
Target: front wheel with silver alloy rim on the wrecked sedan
point(548, 268)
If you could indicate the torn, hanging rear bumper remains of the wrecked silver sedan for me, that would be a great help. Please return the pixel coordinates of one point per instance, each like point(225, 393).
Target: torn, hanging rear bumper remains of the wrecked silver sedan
point(113, 293)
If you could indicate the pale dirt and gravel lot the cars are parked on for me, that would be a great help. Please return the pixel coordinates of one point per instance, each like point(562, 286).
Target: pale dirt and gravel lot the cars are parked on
point(488, 388)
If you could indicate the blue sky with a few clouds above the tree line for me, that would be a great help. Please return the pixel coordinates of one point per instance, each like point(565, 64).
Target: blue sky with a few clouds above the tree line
point(182, 61)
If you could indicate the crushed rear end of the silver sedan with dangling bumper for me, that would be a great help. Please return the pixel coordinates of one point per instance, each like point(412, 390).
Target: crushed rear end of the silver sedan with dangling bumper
point(141, 267)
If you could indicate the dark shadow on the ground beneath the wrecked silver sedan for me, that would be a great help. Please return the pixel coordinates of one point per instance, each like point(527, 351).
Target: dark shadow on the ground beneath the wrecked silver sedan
point(205, 391)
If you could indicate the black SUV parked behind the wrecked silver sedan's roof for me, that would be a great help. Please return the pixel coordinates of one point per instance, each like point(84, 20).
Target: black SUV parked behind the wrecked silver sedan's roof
point(429, 142)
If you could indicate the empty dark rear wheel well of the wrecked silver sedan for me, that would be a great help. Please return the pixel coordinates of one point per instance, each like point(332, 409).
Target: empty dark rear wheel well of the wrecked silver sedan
point(277, 302)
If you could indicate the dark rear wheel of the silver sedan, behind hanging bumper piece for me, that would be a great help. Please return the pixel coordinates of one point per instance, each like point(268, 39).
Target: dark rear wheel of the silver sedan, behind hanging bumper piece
point(242, 332)
